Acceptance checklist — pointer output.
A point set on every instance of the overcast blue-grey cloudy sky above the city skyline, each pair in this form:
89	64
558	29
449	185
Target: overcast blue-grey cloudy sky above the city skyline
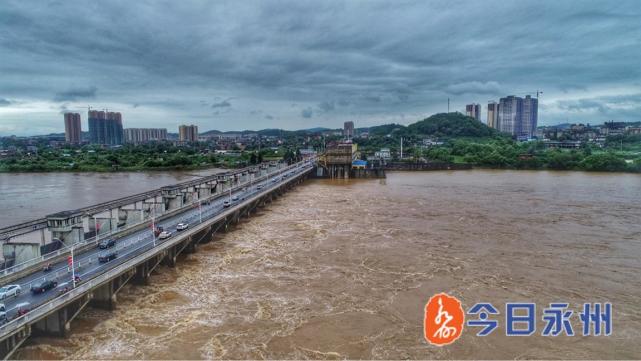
300	64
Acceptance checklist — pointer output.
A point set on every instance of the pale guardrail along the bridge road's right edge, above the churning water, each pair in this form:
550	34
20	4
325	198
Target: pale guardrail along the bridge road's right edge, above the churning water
44	309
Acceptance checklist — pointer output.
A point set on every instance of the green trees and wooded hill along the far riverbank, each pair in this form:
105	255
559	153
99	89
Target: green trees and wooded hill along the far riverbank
450	138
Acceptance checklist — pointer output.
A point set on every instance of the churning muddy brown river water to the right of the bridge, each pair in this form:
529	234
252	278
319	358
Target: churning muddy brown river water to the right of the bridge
343	269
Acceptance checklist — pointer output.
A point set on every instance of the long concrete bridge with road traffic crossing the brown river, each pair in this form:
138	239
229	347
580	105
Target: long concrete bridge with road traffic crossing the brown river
209	205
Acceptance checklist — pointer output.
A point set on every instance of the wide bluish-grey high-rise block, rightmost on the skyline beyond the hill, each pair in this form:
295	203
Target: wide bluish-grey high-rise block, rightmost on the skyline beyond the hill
518	116
